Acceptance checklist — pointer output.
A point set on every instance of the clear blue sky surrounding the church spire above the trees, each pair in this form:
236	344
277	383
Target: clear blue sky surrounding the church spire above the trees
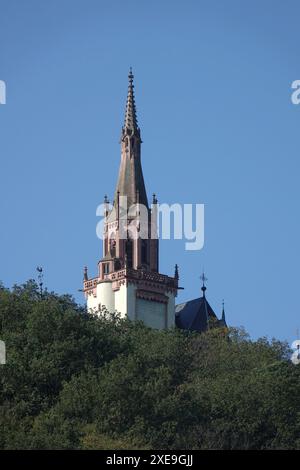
213	87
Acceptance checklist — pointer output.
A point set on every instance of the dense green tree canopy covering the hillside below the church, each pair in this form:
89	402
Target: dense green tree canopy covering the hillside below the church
76	381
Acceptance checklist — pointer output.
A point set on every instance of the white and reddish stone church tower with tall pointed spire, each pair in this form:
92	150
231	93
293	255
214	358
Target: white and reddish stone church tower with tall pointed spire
128	279
